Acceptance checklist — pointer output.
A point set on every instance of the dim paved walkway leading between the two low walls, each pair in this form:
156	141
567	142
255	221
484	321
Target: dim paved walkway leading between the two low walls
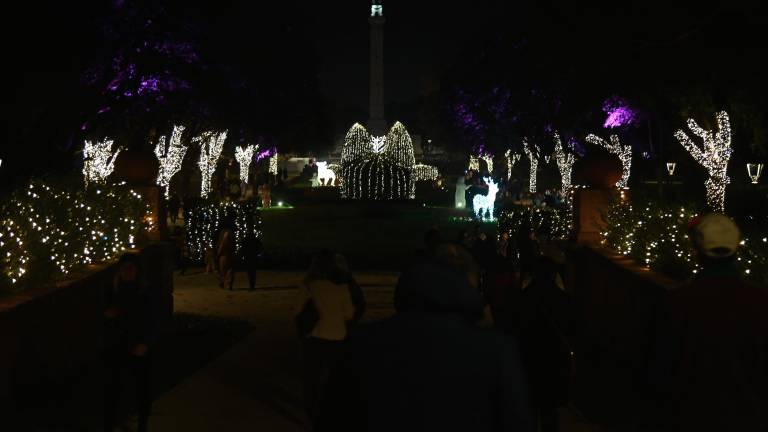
255	384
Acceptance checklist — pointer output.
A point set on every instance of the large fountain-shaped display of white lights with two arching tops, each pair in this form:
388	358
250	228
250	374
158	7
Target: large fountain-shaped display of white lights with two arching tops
369	163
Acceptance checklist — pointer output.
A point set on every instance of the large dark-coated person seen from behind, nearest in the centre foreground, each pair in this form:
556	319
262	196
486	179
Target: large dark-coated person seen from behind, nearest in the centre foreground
430	367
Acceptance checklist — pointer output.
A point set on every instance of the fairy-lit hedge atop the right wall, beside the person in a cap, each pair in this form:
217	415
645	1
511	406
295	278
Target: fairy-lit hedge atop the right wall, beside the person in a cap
656	236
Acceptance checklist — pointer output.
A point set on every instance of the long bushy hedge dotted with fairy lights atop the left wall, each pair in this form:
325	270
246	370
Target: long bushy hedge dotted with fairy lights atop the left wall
49	230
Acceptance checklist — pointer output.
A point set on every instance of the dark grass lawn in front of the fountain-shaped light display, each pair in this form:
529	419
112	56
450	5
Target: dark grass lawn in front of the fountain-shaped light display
372	235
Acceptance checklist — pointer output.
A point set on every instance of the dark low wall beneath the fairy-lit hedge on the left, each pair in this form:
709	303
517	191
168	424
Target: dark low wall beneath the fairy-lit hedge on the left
52	337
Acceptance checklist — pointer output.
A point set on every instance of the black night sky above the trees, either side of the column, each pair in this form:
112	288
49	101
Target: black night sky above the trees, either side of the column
48	47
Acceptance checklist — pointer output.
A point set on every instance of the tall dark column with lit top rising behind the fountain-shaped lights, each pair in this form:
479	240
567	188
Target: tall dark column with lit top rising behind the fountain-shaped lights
377	125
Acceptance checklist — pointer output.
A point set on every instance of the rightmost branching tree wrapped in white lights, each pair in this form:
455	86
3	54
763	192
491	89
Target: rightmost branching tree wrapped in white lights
714	156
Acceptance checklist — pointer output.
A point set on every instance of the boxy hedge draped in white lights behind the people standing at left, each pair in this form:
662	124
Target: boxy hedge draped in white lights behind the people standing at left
205	218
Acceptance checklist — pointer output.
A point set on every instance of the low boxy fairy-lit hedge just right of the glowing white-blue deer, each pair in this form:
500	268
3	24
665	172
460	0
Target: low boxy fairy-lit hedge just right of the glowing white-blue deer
555	221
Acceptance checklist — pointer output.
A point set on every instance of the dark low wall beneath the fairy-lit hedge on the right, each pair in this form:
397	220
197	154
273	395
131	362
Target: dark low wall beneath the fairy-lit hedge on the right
616	302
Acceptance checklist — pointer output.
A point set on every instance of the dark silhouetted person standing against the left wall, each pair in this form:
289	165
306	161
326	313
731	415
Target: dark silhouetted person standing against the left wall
129	335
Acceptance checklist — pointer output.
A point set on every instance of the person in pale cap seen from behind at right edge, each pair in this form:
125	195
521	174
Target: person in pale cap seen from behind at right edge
711	362
